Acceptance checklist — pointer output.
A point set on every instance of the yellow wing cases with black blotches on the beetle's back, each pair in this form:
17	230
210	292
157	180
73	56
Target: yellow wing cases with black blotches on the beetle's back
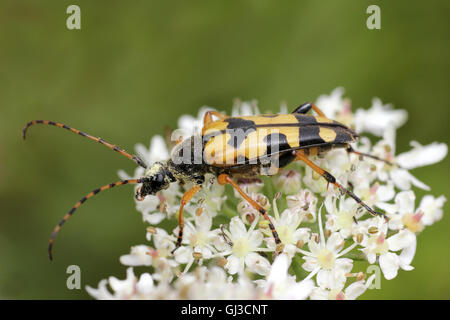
258	135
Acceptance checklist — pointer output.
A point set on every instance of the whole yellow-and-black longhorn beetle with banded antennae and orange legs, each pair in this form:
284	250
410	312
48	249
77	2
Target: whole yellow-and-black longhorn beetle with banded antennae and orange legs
232	147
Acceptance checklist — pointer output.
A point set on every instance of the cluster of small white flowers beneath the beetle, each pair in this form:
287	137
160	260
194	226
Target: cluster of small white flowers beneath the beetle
228	251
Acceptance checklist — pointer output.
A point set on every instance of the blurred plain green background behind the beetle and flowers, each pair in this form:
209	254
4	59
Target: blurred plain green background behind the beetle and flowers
134	68
